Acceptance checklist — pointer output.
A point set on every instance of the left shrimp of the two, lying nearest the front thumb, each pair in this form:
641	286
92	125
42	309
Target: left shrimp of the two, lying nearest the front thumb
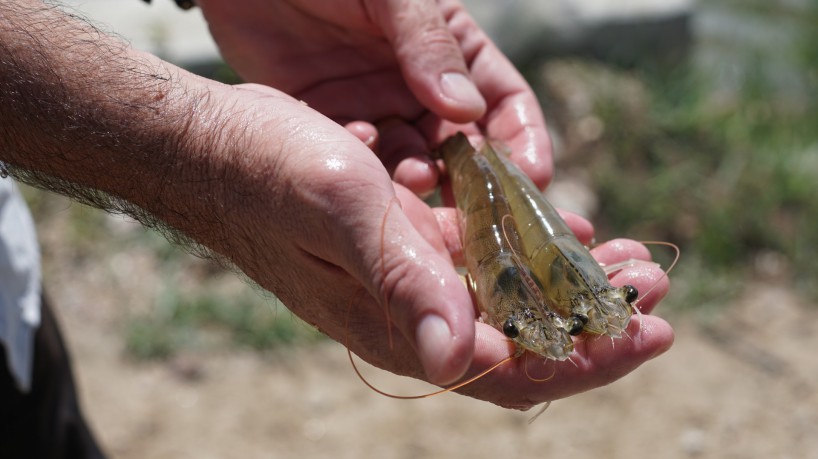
509	295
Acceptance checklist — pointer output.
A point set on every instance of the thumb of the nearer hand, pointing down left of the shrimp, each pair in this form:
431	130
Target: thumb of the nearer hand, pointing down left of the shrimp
427	301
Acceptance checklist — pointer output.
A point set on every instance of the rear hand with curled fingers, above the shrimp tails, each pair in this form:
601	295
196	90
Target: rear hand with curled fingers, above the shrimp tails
399	72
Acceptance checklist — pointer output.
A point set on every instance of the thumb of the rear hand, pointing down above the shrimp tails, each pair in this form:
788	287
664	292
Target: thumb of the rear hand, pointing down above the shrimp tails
430	58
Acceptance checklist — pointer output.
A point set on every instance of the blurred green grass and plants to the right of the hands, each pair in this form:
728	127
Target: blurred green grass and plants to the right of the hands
718	154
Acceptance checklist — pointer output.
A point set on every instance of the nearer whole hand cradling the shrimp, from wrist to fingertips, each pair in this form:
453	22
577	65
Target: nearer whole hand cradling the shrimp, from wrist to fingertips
313	220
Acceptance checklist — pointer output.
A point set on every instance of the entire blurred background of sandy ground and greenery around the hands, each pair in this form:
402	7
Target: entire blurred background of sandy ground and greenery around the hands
694	123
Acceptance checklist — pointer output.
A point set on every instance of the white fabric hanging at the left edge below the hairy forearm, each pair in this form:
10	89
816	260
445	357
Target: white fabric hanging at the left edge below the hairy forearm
19	283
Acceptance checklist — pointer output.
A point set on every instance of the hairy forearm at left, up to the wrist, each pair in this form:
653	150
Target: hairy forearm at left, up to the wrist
85	115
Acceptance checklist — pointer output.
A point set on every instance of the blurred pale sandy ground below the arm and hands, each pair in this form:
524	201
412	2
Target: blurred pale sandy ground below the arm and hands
739	385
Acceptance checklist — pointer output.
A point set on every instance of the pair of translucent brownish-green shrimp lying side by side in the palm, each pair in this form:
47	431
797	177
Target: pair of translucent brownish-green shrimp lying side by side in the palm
523	259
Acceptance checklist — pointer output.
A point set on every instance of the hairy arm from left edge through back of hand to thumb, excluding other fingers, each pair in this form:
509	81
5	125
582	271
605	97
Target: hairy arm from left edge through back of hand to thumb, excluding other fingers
288	196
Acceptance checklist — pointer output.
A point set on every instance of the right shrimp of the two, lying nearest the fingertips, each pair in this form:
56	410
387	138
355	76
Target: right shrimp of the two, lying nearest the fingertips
574	284
